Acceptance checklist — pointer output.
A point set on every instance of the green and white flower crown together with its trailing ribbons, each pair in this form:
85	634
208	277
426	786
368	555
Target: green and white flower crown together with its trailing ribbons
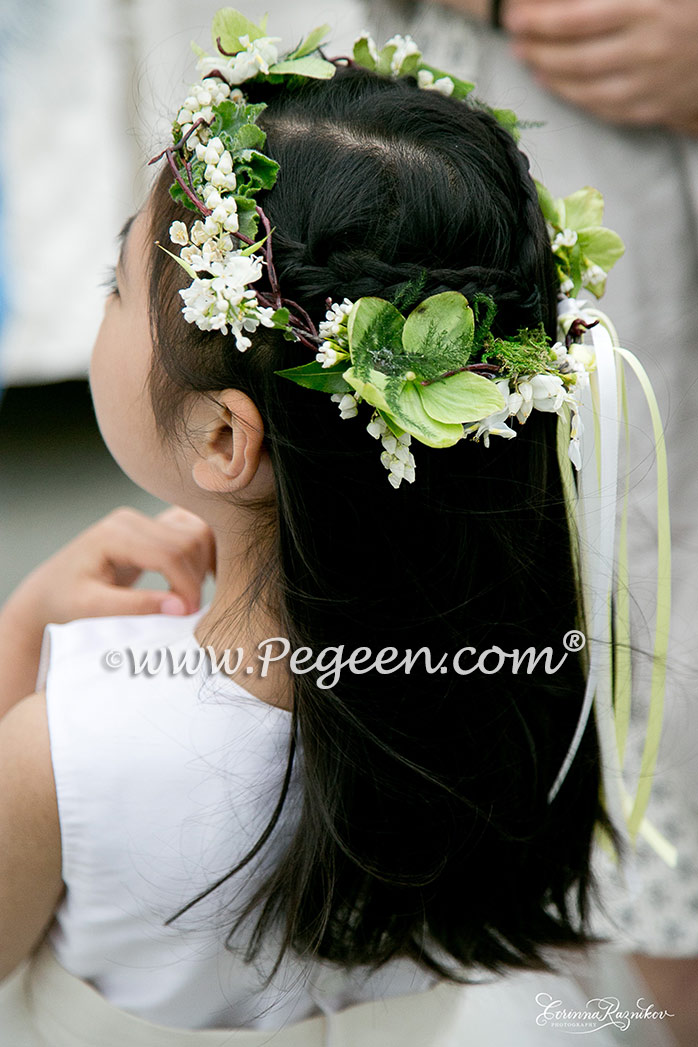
436	373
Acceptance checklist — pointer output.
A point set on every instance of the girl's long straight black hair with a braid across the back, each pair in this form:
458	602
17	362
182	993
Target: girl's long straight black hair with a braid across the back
422	827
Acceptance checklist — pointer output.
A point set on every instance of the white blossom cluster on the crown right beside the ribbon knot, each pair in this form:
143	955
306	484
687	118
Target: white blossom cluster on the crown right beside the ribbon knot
547	392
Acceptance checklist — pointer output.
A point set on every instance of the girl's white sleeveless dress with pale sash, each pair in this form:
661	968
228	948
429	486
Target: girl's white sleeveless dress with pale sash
164	783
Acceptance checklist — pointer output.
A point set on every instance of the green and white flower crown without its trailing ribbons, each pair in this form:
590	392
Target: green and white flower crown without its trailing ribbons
435	374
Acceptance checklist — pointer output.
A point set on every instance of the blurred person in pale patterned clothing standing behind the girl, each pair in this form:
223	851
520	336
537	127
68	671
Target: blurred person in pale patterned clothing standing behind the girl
613	88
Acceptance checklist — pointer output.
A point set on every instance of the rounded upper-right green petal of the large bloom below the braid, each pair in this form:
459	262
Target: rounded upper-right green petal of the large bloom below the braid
442	326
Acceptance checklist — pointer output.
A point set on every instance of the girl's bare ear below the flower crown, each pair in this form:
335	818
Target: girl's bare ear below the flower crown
231	449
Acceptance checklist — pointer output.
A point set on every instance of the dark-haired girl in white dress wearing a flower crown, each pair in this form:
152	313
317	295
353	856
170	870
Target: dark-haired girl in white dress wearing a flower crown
247	850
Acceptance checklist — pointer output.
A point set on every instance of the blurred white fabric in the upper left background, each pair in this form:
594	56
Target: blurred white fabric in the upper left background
94	85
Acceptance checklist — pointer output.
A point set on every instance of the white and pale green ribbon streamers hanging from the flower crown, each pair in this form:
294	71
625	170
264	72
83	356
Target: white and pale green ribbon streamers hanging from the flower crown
604	574
